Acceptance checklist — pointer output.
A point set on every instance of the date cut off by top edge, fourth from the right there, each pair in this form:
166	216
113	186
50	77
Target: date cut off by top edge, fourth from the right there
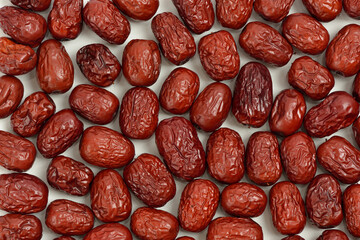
233	14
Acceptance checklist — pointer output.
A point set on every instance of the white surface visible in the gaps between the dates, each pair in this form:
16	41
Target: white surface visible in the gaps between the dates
142	30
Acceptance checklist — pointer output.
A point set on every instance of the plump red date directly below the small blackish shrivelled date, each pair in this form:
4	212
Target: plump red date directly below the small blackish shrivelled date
94	103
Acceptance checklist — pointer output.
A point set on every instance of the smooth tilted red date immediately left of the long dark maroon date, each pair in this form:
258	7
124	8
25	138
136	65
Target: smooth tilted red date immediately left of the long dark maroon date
211	107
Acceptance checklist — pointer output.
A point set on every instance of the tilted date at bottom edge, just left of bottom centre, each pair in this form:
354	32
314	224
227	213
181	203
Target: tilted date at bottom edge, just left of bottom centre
152	224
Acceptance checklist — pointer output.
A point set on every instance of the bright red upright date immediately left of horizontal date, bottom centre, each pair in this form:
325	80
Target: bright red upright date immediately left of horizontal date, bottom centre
198	204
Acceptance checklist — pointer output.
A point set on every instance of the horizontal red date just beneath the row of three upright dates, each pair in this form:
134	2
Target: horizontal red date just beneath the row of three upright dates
243	200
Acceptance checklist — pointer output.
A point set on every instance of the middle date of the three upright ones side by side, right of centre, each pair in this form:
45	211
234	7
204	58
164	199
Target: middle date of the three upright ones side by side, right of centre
263	163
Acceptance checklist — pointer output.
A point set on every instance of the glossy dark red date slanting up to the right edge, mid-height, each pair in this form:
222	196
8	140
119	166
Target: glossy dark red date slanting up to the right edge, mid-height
338	110
